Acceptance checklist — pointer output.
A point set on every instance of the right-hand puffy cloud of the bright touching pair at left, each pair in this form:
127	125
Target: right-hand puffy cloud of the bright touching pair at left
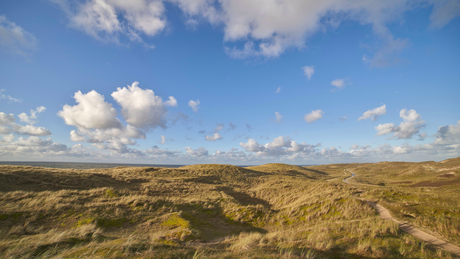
141	108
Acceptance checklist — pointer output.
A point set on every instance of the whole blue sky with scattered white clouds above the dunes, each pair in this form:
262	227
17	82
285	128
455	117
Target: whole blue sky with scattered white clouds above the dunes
238	82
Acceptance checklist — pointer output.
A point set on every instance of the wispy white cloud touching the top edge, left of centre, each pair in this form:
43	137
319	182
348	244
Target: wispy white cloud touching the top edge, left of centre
109	20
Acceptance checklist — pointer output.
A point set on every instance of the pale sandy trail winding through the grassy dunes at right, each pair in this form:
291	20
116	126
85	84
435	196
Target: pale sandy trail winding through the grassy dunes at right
385	214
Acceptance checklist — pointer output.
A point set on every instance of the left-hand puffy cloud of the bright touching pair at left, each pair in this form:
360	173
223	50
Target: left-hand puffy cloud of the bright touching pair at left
91	112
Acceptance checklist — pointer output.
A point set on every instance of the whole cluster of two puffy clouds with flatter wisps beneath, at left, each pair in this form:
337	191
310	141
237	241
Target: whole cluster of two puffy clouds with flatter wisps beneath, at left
97	123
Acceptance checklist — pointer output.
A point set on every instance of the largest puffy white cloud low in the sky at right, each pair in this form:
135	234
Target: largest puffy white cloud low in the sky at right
411	125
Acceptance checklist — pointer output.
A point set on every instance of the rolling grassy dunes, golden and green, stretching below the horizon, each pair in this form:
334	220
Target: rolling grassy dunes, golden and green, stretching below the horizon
224	211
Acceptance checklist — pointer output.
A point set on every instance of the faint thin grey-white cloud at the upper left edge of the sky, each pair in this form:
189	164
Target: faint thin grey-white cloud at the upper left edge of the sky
14	39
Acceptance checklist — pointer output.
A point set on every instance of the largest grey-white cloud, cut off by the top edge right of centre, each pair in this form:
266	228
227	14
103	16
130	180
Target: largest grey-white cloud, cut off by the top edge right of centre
279	25
